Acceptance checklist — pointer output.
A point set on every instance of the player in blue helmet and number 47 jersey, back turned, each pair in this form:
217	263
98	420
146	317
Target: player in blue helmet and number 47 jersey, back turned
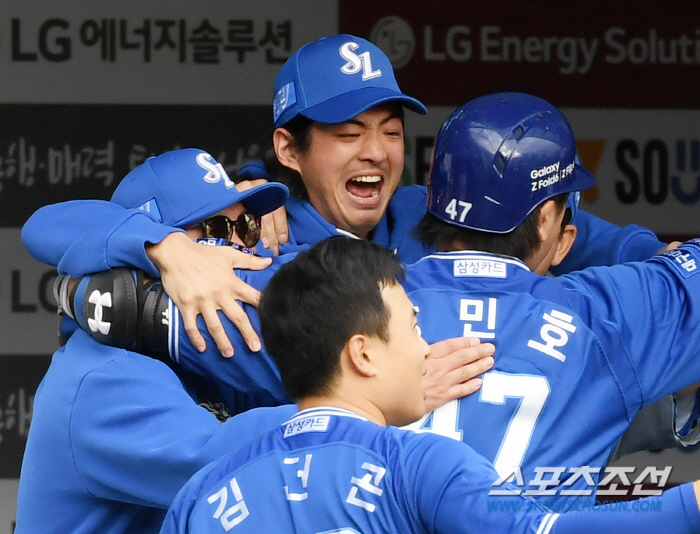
578	355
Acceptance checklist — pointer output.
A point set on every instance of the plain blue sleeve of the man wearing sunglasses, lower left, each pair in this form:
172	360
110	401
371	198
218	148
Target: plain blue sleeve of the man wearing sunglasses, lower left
146	437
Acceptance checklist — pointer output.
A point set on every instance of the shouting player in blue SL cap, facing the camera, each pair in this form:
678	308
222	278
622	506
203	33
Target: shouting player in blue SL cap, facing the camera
334	80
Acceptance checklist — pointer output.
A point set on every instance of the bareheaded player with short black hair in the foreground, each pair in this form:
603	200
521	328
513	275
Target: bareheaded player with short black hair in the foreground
338	465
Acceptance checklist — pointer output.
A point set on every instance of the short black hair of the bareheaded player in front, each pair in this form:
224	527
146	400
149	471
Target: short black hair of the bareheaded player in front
315	303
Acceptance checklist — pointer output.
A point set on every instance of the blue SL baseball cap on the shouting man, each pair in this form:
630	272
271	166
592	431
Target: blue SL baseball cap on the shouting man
334	79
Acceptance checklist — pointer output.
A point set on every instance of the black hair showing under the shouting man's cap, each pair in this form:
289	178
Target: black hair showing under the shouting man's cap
300	129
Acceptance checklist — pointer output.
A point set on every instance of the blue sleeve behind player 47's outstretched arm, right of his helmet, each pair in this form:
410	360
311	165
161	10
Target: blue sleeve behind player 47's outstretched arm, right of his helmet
602	243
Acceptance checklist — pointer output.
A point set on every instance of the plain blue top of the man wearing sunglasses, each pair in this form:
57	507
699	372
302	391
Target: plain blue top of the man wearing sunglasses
114	436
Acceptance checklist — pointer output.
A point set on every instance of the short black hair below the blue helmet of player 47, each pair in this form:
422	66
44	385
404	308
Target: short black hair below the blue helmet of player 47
521	243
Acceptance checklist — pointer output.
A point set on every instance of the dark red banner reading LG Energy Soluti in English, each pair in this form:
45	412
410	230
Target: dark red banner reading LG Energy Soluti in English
593	54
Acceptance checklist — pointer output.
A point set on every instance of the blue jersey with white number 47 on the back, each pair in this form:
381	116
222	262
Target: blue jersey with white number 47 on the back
576	356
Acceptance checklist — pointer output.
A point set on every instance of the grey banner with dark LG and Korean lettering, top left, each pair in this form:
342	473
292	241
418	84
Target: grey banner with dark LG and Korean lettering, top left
153	51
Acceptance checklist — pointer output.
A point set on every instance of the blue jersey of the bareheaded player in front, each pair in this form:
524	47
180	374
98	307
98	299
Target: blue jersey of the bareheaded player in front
330	470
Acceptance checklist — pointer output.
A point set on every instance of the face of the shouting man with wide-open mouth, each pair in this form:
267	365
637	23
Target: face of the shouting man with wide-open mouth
351	169
